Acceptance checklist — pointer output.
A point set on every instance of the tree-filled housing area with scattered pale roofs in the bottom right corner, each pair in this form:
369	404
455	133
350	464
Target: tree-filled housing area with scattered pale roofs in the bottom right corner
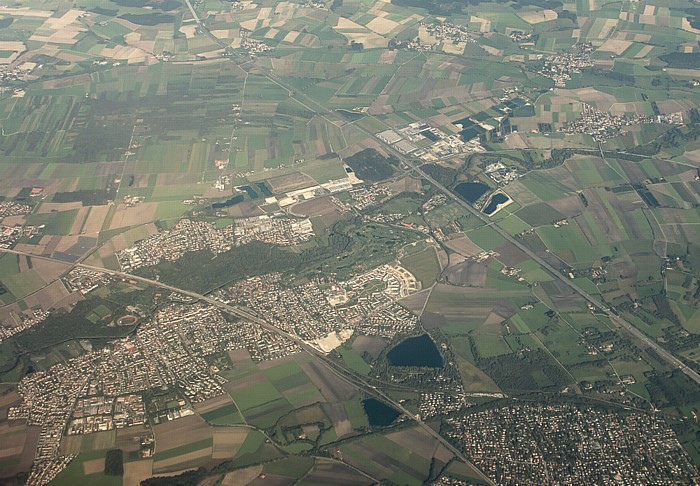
549	444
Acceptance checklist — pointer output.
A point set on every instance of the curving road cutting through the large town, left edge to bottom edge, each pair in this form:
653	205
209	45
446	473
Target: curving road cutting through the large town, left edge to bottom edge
336	368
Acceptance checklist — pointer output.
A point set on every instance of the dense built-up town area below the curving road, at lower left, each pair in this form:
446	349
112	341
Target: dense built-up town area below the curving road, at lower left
100	390
